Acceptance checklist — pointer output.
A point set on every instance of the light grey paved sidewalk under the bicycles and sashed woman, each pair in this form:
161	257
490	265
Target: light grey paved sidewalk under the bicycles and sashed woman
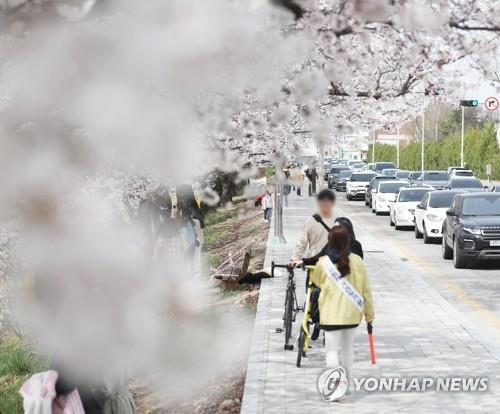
417	333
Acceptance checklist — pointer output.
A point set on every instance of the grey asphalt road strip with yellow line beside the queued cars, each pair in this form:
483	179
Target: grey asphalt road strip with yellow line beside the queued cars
474	292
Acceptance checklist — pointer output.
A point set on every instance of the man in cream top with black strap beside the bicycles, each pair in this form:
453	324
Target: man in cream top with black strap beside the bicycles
315	233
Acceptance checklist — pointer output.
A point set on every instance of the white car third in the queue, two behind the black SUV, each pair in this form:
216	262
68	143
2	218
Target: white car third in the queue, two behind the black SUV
403	209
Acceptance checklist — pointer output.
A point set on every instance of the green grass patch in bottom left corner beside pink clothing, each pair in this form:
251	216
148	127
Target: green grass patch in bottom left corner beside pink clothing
17	363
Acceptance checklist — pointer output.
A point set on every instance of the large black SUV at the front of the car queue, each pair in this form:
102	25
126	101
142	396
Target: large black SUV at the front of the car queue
471	229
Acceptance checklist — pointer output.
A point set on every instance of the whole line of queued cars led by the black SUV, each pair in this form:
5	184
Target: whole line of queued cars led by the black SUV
452	207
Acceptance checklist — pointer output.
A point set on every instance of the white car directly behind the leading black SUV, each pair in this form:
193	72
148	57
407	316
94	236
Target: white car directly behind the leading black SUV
430	214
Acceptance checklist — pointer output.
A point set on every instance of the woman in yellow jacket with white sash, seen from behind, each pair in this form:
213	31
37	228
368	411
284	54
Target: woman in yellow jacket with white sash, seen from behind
345	297
